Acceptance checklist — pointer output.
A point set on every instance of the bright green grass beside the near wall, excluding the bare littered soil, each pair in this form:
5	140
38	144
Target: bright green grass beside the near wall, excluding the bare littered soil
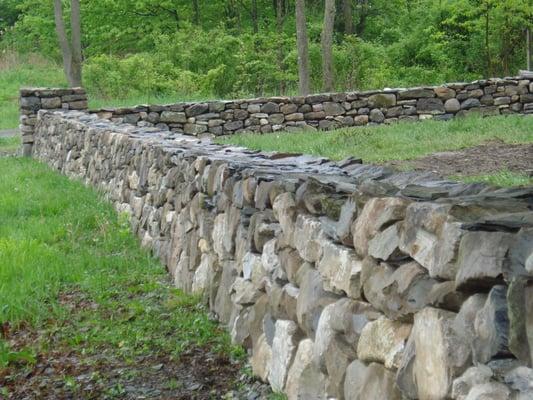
60	240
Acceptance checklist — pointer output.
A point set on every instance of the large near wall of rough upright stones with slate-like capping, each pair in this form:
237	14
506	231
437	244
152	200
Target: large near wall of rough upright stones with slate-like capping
343	281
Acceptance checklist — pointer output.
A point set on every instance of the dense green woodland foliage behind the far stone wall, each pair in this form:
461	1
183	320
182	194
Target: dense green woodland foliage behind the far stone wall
159	47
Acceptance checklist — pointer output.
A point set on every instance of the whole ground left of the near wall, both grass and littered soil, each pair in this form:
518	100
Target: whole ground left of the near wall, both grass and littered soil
86	313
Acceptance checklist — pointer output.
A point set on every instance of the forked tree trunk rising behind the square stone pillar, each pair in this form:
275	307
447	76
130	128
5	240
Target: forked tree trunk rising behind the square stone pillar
70	49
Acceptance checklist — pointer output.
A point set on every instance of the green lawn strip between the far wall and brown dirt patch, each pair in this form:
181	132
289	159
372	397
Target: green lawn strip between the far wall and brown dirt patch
383	143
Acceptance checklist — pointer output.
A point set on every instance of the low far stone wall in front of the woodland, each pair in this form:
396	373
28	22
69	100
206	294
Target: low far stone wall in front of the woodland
330	111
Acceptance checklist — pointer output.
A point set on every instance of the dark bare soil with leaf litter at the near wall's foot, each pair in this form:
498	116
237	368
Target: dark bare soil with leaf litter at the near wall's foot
64	371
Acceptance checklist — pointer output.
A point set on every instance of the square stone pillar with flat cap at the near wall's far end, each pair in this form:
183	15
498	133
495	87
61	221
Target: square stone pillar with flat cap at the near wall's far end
34	99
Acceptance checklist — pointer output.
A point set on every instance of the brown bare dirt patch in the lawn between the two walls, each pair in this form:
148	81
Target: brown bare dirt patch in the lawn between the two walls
485	159
